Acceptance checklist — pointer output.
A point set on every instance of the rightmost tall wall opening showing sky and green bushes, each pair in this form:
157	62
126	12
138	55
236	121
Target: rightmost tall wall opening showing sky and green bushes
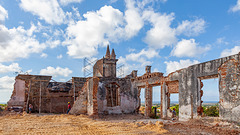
209	95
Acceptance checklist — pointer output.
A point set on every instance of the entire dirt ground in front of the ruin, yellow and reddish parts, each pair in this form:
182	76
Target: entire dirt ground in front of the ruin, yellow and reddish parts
112	124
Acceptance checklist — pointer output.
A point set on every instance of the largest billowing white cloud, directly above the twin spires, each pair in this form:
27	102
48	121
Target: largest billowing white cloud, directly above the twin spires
99	28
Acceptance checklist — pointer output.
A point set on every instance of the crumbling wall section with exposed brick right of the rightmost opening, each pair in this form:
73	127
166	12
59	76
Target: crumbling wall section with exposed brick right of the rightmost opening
229	90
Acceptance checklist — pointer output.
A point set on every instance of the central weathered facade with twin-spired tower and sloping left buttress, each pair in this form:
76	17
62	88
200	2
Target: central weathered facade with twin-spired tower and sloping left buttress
104	93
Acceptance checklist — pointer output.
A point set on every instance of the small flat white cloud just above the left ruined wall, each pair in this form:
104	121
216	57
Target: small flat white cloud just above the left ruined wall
55	72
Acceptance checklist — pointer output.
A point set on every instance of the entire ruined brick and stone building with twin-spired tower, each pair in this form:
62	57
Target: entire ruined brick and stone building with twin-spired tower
104	93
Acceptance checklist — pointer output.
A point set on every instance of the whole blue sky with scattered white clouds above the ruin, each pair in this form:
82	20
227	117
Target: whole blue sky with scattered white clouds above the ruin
51	37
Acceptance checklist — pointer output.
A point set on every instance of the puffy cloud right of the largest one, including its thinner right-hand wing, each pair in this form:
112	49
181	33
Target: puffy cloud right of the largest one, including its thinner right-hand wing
162	34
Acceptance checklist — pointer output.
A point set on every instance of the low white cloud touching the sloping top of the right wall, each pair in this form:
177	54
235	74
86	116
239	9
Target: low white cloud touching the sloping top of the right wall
174	65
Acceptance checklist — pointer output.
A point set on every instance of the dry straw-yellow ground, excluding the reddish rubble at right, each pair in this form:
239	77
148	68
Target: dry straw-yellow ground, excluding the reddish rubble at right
70	124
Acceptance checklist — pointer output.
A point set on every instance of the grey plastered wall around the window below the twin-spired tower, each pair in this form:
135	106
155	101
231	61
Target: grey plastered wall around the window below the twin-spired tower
128	96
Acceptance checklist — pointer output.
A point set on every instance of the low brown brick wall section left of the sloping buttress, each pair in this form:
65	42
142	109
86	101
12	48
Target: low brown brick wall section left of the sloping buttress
37	92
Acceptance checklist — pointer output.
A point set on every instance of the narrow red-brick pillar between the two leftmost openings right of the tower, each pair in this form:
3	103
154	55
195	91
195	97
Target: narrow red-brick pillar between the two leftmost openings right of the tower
148	100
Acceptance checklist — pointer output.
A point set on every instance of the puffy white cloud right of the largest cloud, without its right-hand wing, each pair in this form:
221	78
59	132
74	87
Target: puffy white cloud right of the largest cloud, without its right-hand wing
161	34
